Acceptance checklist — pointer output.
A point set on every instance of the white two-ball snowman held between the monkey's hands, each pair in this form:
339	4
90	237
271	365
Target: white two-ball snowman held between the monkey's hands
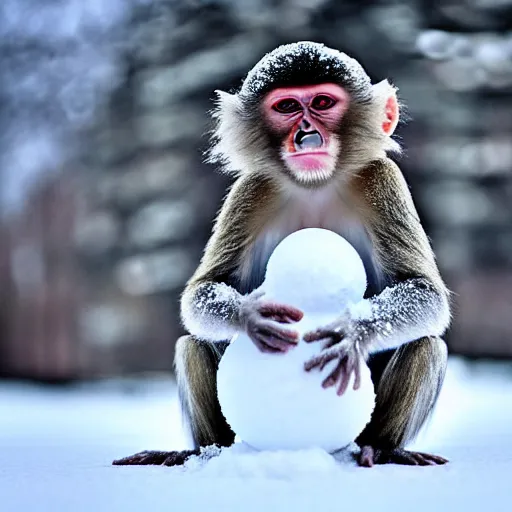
268	399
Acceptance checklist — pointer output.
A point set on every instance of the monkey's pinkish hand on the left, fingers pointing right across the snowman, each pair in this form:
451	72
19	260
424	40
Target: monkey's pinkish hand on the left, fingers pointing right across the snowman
260	319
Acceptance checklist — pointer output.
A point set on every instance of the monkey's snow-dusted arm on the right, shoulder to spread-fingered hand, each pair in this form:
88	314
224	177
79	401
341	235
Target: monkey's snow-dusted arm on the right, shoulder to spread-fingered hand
416	304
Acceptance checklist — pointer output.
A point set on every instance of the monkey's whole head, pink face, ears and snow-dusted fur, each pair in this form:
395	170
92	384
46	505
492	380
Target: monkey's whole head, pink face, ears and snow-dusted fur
306	112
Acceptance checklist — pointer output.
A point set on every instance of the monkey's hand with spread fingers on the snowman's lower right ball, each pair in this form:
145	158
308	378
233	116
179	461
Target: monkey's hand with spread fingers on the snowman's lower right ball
344	344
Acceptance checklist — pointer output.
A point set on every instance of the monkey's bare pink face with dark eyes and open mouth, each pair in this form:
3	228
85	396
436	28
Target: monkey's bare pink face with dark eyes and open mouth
306	121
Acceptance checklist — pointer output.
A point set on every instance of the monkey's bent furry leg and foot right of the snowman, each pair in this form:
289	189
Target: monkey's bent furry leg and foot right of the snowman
406	393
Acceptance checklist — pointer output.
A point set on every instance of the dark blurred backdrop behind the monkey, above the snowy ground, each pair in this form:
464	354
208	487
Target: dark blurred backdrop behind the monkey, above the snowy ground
105	204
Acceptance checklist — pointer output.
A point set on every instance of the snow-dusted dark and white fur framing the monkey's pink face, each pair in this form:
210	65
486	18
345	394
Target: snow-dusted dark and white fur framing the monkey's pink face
241	142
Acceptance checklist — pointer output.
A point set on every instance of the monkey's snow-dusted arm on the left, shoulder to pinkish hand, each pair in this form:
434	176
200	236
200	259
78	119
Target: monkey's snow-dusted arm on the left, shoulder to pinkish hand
211	308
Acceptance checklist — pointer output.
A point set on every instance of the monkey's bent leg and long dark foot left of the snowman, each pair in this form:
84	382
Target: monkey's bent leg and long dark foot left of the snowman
196	364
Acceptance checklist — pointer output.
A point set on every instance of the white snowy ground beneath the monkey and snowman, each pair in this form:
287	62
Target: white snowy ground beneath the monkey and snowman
56	447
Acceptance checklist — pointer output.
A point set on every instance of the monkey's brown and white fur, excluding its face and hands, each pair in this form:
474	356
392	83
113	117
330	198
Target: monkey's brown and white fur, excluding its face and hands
368	202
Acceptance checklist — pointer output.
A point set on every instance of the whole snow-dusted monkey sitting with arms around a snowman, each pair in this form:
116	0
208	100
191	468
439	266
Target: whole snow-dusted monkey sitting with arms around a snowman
307	137
